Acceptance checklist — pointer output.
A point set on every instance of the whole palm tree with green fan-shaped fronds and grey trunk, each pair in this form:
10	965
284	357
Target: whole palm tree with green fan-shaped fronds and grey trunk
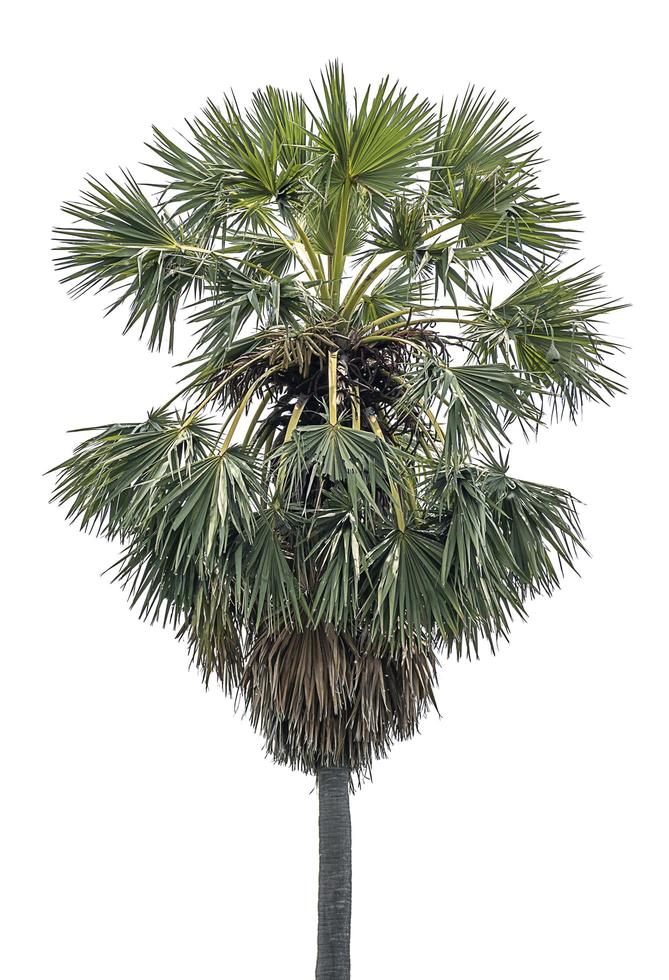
380	299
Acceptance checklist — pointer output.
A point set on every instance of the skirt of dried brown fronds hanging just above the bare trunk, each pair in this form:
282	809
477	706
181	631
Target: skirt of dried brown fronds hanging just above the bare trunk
322	700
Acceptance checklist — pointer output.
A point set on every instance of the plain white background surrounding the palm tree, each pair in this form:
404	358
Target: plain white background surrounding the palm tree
523	834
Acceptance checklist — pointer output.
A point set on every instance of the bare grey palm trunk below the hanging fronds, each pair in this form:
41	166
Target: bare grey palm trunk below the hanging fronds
334	877
